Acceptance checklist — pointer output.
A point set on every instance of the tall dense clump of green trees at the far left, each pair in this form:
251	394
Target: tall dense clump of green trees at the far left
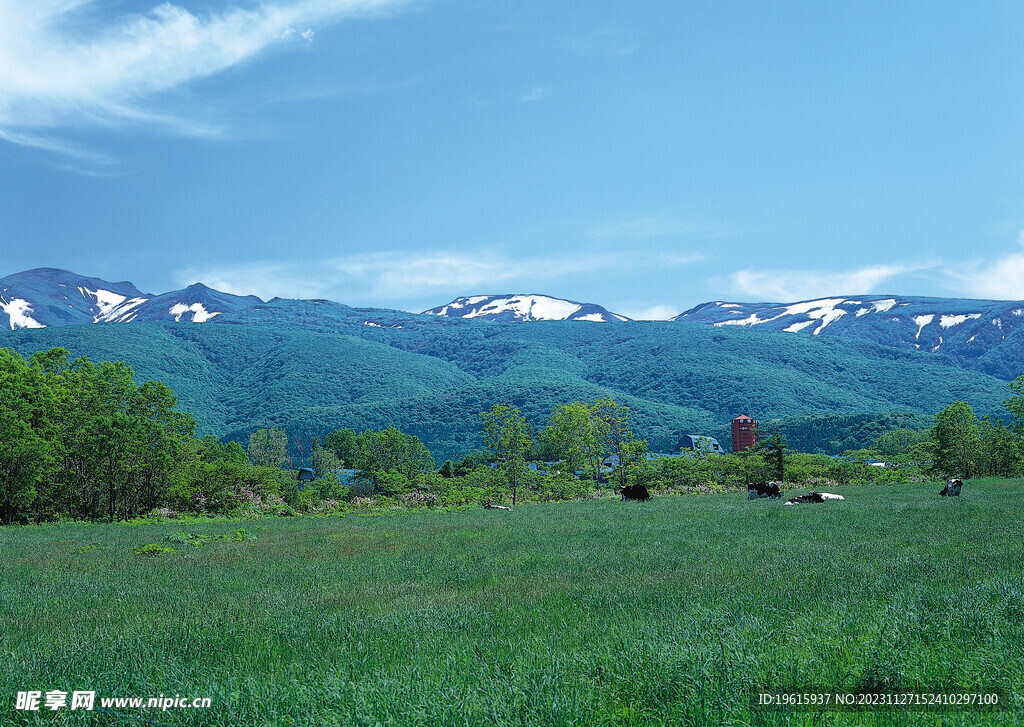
101	446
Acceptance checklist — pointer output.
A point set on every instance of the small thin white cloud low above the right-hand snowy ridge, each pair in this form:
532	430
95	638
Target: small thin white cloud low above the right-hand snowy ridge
788	286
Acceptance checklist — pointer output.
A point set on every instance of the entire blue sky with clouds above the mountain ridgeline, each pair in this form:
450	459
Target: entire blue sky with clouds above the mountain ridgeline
644	156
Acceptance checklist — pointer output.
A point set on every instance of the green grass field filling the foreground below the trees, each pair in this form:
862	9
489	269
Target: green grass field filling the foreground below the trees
673	612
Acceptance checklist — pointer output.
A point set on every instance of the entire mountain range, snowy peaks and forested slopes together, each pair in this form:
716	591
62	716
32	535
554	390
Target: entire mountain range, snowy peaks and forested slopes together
314	366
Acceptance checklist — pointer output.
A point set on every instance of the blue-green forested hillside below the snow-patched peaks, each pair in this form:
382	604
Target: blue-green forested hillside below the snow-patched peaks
316	367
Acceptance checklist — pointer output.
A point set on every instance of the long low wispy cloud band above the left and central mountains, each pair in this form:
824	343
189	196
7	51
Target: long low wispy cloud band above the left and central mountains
397	278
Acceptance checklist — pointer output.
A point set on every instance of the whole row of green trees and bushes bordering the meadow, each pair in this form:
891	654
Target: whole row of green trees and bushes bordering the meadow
83	441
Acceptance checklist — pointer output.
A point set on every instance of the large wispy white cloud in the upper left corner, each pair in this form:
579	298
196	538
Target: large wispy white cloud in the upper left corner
63	67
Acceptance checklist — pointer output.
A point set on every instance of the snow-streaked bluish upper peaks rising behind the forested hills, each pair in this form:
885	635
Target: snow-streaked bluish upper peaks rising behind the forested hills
980	335
